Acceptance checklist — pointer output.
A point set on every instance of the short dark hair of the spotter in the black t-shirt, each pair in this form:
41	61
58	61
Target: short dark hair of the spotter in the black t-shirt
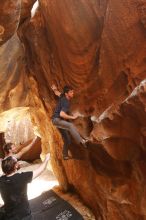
8	164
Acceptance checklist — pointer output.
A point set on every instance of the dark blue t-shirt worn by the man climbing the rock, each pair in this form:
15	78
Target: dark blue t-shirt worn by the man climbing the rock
63	105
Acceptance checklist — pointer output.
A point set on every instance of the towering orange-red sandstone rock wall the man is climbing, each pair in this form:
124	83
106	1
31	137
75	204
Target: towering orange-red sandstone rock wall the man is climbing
99	48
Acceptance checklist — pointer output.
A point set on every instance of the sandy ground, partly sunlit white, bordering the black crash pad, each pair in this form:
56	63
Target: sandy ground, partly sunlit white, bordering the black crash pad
48	181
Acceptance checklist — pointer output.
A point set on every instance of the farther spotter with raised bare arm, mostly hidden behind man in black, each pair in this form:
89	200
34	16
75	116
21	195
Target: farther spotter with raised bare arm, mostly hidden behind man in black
10	149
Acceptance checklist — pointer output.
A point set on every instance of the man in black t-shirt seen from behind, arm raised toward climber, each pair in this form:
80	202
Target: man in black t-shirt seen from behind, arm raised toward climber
13	189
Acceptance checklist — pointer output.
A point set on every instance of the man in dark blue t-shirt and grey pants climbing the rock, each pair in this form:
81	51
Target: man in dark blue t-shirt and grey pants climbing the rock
61	116
